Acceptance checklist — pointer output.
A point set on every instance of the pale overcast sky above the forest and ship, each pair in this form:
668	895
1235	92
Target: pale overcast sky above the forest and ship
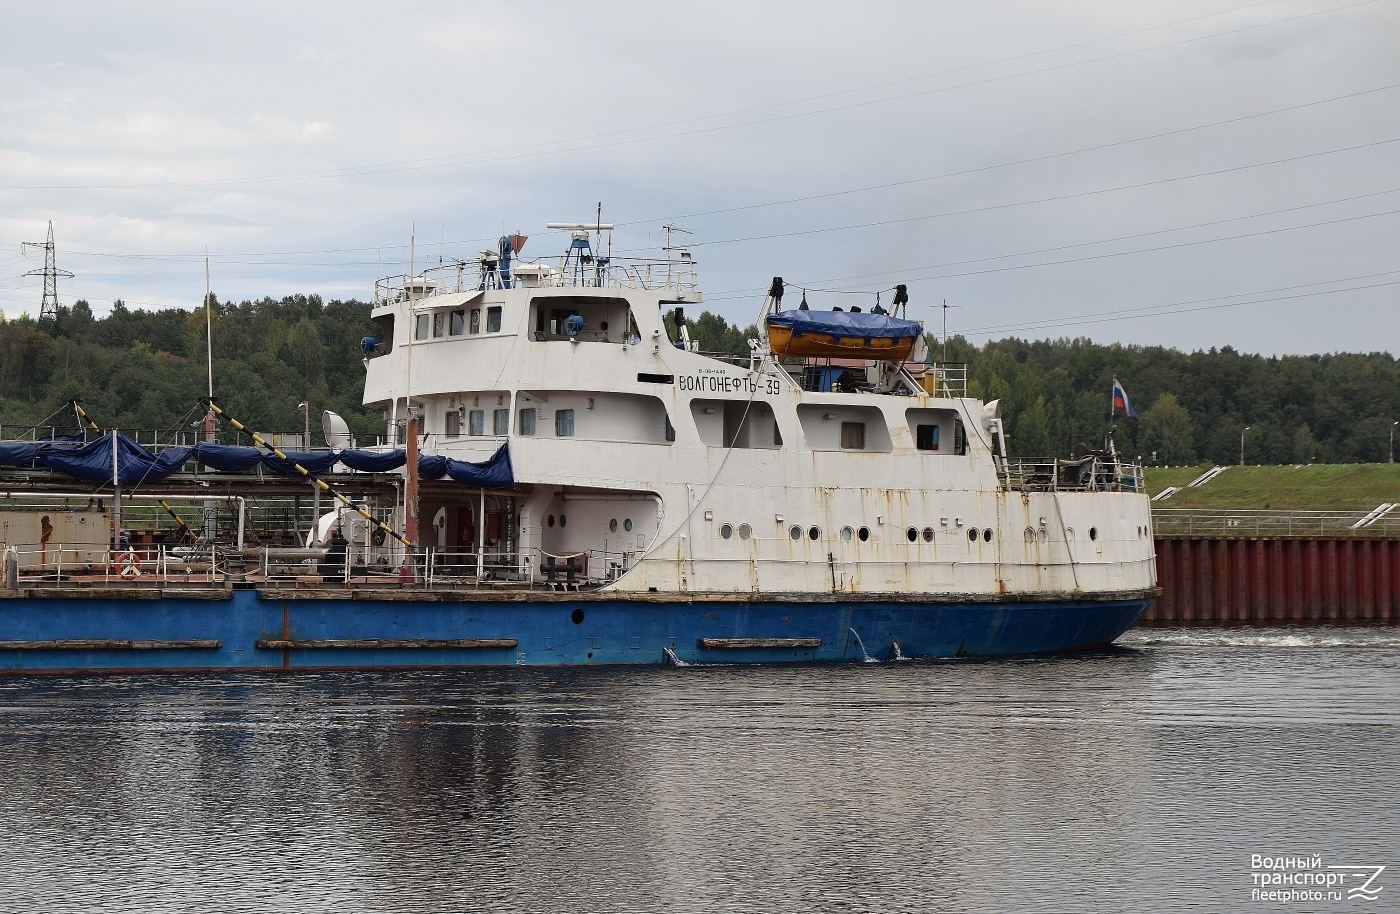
1188	173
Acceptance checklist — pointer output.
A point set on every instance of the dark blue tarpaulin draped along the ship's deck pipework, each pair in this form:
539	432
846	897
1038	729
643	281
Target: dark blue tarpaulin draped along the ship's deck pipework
134	465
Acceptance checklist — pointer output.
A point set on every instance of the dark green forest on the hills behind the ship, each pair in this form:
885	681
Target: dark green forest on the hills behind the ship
146	370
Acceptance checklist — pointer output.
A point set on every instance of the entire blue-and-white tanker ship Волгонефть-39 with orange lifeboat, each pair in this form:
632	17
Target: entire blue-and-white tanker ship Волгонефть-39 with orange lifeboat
565	479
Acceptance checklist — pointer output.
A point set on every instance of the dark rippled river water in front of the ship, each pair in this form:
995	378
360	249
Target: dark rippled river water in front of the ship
1147	779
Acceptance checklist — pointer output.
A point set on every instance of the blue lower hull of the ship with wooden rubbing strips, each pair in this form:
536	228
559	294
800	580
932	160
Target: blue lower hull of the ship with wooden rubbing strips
246	629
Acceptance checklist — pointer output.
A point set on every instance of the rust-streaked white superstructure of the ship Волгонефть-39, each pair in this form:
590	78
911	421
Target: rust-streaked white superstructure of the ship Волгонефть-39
652	467
